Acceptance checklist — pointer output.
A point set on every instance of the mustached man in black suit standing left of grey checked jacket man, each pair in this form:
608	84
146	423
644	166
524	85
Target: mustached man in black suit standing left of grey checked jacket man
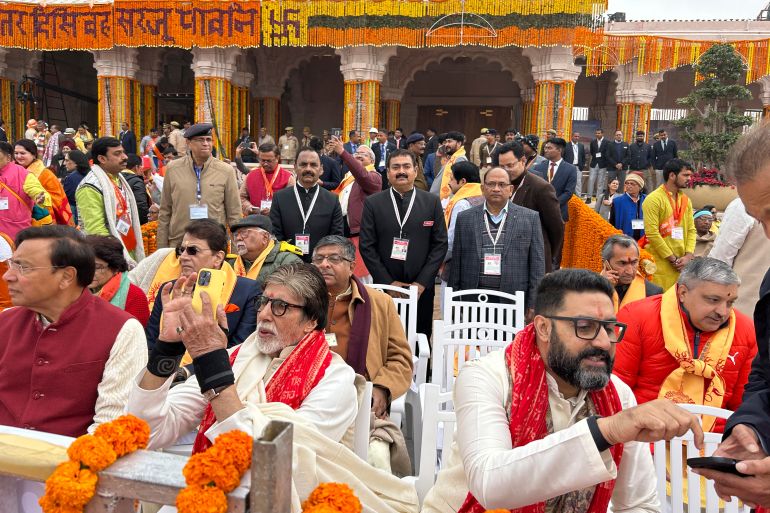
403	237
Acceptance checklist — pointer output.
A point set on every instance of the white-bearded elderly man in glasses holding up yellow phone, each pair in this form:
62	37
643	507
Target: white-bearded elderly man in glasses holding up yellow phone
284	371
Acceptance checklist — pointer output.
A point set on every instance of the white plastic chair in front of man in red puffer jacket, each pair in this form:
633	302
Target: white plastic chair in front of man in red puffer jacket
673	456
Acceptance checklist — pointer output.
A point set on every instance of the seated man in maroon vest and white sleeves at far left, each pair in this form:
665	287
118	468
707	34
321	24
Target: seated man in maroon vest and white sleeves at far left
66	356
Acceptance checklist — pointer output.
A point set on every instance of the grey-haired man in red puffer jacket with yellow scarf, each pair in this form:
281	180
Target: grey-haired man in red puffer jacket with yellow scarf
689	345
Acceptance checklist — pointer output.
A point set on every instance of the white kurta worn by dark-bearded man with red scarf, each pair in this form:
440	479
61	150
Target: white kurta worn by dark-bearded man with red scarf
483	460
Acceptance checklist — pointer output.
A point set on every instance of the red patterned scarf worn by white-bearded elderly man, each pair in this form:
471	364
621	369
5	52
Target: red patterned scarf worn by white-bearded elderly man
296	377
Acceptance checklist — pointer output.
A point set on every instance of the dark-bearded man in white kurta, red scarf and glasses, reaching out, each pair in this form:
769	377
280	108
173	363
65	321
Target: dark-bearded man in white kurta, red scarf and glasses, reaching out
544	425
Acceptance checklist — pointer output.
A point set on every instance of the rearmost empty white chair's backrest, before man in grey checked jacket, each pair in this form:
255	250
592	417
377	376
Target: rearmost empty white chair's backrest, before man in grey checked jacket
479	305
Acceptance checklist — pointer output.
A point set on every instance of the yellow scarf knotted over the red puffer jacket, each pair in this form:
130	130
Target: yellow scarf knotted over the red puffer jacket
687	383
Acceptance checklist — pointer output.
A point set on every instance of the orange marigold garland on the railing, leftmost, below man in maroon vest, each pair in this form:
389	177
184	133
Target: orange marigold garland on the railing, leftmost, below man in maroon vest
72	485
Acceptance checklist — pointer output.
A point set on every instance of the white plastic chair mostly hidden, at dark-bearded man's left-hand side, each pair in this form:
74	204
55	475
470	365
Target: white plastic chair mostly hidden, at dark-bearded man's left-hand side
435	415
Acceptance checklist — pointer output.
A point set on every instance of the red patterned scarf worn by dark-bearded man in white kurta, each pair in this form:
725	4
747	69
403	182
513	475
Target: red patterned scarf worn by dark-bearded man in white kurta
529	406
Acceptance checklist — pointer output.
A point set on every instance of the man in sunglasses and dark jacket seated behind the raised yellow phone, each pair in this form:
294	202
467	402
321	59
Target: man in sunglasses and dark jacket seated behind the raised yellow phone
204	245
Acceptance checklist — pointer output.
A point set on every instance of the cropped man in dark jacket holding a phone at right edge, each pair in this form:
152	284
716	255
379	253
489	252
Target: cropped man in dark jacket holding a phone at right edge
747	432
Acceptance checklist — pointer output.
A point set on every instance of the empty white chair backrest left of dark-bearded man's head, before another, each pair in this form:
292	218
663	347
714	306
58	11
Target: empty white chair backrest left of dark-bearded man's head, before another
456	344
